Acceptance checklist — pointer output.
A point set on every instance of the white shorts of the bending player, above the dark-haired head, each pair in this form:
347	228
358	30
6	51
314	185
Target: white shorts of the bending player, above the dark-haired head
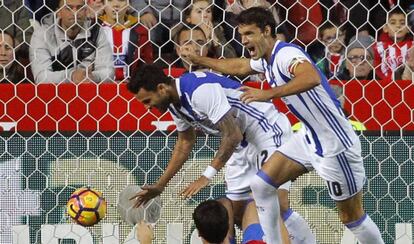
240	169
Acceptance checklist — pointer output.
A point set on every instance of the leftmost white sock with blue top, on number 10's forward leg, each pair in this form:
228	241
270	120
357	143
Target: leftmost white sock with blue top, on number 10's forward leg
267	203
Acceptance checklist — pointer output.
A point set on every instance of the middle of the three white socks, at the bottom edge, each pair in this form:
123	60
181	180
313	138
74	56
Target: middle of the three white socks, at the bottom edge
298	228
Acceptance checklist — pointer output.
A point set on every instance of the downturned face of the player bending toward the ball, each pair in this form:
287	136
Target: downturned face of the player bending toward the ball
158	99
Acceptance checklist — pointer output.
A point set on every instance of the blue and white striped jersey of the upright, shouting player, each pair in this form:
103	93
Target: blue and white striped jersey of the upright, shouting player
317	108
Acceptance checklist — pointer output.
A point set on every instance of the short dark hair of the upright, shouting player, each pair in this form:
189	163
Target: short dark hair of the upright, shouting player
259	16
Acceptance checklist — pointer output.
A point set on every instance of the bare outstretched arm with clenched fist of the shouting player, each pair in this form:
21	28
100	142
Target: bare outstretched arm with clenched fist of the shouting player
230	66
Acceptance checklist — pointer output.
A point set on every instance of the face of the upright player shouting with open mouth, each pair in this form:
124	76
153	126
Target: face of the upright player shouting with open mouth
253	40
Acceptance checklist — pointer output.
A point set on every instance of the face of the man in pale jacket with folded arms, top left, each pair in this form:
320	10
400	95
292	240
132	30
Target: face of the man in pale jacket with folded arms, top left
72	12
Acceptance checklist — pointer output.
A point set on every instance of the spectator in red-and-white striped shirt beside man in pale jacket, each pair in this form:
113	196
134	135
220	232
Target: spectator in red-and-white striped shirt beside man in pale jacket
130	40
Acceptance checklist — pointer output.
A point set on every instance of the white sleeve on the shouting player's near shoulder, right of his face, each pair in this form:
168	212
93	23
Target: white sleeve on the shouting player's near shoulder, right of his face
288	58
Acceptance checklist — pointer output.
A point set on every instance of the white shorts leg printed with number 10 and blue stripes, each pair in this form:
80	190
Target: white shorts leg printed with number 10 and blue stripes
344	174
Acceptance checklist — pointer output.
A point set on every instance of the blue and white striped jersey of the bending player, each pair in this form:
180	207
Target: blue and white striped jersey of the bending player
206	97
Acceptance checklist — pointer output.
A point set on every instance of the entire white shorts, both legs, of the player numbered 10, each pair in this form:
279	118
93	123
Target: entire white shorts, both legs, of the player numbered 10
344	174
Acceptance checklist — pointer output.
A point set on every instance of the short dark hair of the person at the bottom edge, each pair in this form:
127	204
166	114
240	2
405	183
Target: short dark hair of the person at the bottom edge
212	221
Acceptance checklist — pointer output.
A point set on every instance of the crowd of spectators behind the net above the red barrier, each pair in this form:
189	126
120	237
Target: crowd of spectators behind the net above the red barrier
53	41
